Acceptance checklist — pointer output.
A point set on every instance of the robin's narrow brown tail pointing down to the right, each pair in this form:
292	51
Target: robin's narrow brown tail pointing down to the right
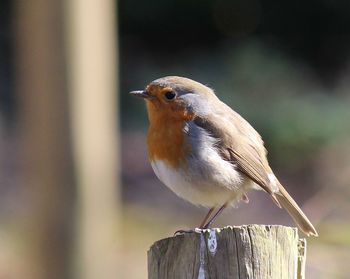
287	202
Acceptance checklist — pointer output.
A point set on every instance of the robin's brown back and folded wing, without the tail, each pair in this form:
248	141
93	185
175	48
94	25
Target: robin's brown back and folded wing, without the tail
238	143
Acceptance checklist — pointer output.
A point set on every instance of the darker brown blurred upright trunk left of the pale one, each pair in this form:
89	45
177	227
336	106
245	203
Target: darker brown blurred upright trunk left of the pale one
43	117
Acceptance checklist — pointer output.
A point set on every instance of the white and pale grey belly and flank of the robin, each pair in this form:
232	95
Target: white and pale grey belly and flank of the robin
205	178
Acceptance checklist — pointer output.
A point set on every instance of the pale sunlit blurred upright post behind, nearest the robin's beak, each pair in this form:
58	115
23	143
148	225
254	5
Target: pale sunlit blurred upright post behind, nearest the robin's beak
92	52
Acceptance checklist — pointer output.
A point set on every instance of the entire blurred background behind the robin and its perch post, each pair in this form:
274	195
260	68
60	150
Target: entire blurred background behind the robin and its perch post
78	198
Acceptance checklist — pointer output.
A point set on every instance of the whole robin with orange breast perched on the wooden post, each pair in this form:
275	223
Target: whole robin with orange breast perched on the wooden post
207	153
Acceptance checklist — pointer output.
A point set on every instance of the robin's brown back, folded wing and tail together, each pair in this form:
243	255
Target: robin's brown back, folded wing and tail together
240	144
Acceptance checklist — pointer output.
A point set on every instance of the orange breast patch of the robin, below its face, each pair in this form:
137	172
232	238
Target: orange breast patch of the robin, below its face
166	138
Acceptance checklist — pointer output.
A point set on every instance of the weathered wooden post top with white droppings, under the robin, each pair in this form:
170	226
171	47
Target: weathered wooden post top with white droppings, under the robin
252	251
